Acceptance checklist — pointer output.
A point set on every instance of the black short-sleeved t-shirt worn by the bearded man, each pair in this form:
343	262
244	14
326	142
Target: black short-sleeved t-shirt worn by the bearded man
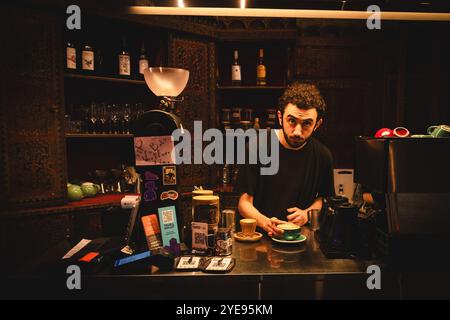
303	175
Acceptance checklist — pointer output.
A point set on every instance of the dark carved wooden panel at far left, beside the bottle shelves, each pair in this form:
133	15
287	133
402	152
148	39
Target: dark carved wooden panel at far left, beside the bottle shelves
32	146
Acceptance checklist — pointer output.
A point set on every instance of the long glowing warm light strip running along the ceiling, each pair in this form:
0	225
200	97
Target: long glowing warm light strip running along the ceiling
288	13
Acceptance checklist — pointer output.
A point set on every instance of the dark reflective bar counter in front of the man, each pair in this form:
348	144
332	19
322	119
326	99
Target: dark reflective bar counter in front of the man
263	270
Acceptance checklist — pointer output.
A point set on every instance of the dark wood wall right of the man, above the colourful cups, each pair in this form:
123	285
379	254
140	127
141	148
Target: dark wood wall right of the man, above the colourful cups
396	76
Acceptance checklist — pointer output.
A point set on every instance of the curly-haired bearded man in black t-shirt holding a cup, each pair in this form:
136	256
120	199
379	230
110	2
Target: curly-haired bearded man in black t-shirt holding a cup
305	173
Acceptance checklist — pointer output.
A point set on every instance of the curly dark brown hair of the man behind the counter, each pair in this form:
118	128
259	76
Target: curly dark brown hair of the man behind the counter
304	96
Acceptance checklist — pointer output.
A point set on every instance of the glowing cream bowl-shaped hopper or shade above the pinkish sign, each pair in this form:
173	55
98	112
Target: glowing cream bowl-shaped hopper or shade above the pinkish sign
164	81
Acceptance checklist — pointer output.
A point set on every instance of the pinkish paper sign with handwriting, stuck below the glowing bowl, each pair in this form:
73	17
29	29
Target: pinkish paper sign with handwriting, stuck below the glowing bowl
152	151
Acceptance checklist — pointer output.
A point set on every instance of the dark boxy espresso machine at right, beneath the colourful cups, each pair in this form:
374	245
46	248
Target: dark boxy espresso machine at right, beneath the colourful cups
410	180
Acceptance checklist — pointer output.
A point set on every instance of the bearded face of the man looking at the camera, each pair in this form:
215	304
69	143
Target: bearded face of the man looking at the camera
298	124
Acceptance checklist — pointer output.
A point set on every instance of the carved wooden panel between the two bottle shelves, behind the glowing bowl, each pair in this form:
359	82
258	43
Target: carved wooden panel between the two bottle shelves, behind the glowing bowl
195	56
